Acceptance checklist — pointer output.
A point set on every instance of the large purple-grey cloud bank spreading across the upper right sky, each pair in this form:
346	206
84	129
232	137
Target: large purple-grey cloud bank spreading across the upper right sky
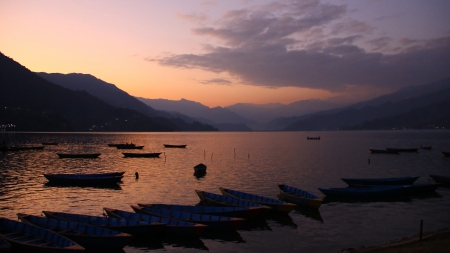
312	45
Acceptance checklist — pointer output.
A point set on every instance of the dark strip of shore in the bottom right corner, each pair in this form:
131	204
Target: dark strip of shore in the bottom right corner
432	242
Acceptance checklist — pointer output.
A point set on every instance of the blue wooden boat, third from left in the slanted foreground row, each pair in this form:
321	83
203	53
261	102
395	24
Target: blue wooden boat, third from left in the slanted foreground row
132	227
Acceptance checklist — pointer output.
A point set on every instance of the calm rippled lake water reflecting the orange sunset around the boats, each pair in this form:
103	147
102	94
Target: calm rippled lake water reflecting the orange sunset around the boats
251	162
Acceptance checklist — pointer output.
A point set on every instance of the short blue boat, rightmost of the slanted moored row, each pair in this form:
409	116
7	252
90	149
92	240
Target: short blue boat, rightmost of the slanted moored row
298	196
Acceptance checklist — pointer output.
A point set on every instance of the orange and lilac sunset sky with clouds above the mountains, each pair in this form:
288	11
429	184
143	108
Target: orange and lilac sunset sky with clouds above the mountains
223	52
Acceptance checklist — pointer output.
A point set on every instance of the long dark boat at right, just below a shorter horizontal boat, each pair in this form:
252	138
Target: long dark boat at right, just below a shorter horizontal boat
367	191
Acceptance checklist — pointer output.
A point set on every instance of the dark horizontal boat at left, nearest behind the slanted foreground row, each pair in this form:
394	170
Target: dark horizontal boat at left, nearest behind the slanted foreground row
92	179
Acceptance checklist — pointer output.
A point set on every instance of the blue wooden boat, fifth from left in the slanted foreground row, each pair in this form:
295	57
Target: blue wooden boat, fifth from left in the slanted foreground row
212	221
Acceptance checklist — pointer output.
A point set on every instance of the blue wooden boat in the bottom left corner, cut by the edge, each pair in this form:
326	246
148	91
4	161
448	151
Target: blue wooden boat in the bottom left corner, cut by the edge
29	238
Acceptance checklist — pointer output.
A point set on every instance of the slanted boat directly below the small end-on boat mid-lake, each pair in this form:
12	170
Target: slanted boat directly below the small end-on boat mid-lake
216	199
